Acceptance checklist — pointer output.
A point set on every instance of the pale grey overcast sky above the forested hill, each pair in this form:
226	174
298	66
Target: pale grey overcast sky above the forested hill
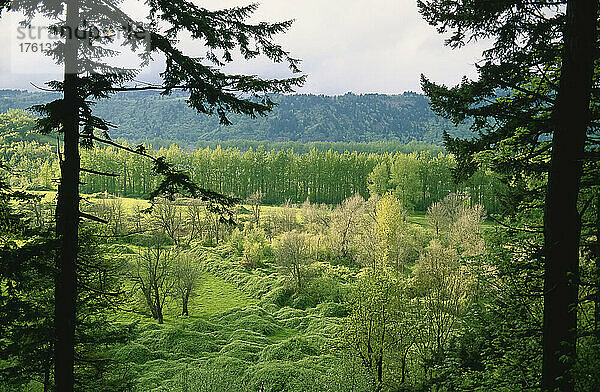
360	46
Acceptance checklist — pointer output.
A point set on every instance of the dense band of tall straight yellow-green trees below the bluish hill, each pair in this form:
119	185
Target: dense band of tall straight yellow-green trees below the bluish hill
418	178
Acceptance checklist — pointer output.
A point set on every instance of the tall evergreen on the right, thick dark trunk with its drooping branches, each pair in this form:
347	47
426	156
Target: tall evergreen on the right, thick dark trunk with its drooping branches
531	111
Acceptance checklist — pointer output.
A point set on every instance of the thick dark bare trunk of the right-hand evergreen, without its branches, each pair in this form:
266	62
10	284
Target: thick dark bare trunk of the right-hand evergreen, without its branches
561	218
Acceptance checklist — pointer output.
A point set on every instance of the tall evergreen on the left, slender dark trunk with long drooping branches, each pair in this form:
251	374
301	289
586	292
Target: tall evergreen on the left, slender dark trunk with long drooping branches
88	77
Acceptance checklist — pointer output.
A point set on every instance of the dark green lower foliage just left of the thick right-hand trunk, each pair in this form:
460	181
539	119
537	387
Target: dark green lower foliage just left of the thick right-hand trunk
498	343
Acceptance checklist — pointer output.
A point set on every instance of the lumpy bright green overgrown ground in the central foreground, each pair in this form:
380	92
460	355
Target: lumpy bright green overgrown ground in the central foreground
236	340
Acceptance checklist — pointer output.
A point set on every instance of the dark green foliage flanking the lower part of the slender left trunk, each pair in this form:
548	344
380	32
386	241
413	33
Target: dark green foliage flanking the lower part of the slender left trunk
27	257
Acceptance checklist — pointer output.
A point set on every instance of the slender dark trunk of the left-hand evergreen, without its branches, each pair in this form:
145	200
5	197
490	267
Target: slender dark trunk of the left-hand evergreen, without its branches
67	216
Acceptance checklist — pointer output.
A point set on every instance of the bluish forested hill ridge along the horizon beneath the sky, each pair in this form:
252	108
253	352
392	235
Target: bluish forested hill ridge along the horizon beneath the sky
148	116
